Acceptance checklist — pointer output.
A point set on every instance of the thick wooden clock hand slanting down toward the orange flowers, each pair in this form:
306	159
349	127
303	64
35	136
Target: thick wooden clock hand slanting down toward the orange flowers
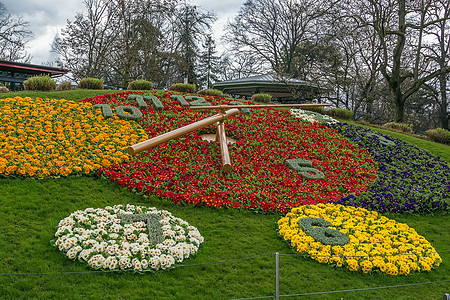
180	131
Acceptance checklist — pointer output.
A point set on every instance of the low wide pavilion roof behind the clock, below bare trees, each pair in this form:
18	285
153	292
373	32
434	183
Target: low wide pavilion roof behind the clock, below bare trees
267	83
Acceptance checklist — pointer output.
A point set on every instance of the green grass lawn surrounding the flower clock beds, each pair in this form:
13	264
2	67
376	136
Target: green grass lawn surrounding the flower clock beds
30	210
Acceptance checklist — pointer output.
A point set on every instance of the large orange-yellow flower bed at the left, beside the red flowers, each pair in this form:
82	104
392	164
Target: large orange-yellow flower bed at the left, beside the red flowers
43	138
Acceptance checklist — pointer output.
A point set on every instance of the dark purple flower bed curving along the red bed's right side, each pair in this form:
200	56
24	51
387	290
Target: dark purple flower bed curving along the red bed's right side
410	180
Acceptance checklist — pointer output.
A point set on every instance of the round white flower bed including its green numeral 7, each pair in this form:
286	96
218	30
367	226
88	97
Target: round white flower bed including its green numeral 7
127	237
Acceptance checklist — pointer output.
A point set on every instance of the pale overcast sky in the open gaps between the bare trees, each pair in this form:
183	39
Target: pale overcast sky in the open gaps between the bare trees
48	17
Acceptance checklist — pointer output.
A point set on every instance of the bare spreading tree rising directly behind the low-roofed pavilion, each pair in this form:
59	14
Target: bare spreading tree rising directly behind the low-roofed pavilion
273	30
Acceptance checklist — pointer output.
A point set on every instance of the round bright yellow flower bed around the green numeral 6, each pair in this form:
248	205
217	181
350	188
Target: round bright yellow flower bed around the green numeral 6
376	242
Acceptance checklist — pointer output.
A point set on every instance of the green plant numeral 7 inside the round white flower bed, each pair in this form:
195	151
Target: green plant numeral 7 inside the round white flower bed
154	230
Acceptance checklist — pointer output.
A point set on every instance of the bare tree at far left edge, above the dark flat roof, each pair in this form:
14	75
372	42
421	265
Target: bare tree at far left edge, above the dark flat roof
14	34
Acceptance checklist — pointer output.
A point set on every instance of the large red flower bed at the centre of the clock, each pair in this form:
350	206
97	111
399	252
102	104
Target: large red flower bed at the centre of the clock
188	169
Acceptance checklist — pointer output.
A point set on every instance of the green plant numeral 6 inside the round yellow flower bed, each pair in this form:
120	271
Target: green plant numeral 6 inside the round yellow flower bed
322	233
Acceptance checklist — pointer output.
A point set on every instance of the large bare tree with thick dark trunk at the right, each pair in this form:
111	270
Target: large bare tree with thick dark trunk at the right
400	29
